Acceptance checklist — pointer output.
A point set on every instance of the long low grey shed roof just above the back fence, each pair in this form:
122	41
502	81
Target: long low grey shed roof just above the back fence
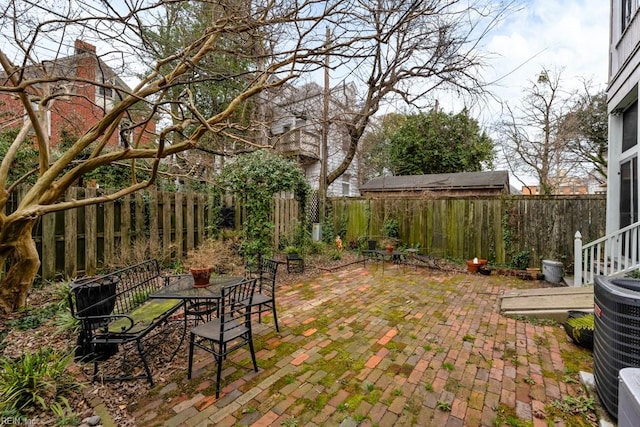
462	184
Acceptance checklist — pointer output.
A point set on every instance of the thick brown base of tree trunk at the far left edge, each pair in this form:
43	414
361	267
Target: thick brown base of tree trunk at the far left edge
19	251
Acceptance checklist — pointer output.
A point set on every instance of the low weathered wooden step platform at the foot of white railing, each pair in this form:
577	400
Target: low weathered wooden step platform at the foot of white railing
548	303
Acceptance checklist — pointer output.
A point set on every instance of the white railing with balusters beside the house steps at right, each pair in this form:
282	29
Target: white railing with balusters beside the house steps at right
614	254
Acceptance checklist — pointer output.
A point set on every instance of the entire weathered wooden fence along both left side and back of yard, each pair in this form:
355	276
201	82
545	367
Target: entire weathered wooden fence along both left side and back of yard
165	225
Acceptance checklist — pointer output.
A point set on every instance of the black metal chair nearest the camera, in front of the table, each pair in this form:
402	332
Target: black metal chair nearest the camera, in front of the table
230	331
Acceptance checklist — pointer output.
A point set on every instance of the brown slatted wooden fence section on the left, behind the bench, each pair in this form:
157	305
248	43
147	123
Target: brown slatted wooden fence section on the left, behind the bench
162	225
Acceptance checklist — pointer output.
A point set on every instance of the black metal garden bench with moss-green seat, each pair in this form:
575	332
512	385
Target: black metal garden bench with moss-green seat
115	309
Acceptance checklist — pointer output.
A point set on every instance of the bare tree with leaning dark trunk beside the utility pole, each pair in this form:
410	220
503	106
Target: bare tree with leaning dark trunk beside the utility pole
411	51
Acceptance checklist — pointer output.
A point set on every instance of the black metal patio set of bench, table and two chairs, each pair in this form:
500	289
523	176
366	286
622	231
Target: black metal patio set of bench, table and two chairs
134	303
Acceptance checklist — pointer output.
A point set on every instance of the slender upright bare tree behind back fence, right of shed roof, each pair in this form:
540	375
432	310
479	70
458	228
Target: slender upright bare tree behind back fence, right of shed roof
533	138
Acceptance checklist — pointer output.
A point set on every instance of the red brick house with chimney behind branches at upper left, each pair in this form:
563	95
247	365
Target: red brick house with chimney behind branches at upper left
76	103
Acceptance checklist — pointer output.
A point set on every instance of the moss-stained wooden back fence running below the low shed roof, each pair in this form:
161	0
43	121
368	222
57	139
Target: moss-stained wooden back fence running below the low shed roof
495	228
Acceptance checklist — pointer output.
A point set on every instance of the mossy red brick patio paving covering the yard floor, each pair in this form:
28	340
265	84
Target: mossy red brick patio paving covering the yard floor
363	346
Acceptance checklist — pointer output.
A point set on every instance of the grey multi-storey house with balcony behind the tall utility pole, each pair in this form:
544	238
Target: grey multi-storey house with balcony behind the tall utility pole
296	118
